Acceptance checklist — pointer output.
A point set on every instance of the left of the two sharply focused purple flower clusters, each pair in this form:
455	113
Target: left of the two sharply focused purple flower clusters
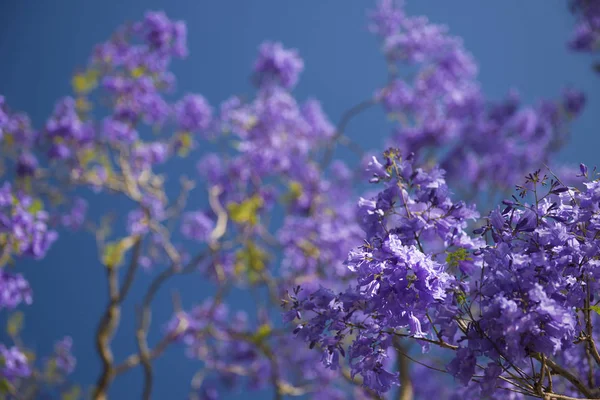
401	285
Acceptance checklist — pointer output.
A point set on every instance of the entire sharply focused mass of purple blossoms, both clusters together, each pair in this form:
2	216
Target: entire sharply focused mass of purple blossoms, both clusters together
521	290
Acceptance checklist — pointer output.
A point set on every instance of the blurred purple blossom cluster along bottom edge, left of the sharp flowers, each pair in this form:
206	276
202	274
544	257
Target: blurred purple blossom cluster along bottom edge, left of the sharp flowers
233	348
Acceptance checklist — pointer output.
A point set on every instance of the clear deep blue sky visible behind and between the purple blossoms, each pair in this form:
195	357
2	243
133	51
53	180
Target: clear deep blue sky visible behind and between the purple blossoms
517	43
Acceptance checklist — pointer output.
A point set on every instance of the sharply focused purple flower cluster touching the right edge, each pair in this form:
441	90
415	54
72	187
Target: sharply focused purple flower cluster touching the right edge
539	273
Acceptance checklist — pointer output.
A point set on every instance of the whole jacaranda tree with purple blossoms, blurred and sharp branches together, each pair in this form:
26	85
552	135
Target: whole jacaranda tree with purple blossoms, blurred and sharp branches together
459	262
